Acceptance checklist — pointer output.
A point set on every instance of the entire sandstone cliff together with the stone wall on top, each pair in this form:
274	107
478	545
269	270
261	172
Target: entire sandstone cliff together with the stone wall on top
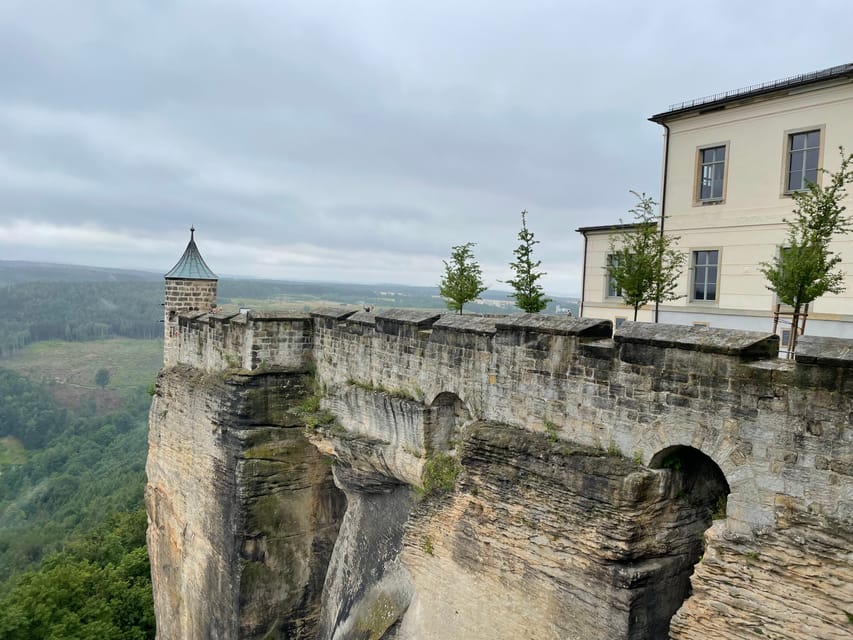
549	532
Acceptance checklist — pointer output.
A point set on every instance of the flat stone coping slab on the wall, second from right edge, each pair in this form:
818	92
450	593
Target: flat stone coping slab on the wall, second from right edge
751	344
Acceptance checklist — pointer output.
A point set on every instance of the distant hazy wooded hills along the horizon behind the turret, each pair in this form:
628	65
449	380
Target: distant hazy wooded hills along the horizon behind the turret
43	301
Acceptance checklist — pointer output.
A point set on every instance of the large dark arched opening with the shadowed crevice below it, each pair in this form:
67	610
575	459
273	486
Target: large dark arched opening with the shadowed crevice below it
696	491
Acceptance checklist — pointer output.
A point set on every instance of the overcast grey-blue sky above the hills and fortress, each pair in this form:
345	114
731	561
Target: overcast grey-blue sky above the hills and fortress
358	141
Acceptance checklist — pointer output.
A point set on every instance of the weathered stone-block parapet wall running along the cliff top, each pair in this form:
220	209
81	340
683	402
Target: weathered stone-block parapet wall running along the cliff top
776	428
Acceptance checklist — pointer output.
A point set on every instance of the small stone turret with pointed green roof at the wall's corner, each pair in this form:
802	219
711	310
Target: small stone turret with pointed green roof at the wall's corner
190	288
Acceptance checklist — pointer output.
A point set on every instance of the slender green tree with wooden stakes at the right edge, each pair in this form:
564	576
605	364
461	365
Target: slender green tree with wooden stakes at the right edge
805	268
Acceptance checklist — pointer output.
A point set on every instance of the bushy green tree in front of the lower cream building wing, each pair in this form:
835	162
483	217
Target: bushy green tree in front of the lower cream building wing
644	264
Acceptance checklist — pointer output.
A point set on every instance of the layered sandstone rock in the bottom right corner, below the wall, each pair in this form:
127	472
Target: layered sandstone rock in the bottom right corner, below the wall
792	583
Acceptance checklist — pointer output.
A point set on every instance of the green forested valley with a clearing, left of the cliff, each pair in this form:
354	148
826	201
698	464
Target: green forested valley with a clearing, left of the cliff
76	363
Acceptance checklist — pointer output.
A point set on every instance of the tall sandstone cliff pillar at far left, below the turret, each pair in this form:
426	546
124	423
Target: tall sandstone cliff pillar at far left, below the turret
243	512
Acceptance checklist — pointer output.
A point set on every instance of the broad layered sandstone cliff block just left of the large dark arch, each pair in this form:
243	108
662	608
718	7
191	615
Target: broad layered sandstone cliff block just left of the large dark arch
549	540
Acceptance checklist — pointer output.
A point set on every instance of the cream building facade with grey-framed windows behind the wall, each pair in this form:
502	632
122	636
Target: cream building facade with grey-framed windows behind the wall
731	163
